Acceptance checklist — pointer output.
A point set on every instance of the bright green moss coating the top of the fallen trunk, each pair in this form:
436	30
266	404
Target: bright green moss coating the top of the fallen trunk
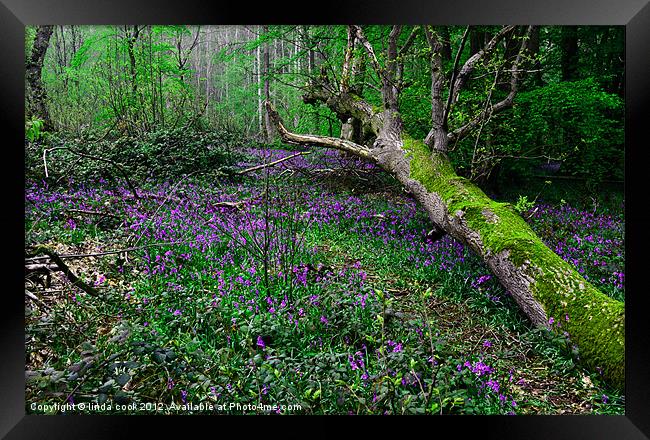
596	323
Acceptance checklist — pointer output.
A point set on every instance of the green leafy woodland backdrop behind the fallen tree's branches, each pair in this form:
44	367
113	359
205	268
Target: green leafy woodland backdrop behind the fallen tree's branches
97	85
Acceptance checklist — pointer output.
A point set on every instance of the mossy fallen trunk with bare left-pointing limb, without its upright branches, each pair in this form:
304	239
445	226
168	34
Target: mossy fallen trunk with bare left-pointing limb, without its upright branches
543	285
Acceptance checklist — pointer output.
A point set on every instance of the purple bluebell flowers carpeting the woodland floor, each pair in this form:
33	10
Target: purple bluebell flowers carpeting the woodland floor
212	236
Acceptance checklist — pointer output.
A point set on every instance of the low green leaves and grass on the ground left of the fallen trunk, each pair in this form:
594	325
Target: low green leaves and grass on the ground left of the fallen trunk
177	325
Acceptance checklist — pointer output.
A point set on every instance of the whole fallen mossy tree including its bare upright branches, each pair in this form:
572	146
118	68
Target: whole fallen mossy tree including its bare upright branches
545	287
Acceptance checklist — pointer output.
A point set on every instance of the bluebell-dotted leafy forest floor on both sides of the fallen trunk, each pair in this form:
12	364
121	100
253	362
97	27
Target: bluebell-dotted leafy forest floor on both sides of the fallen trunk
277	295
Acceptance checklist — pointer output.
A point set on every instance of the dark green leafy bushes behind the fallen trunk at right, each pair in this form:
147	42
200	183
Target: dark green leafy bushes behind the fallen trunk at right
566	128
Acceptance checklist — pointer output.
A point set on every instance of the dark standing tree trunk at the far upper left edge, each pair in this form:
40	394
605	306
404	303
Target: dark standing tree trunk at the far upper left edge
35	92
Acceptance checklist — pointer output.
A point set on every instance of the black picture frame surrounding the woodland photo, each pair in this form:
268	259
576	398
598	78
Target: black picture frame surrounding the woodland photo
633	14
